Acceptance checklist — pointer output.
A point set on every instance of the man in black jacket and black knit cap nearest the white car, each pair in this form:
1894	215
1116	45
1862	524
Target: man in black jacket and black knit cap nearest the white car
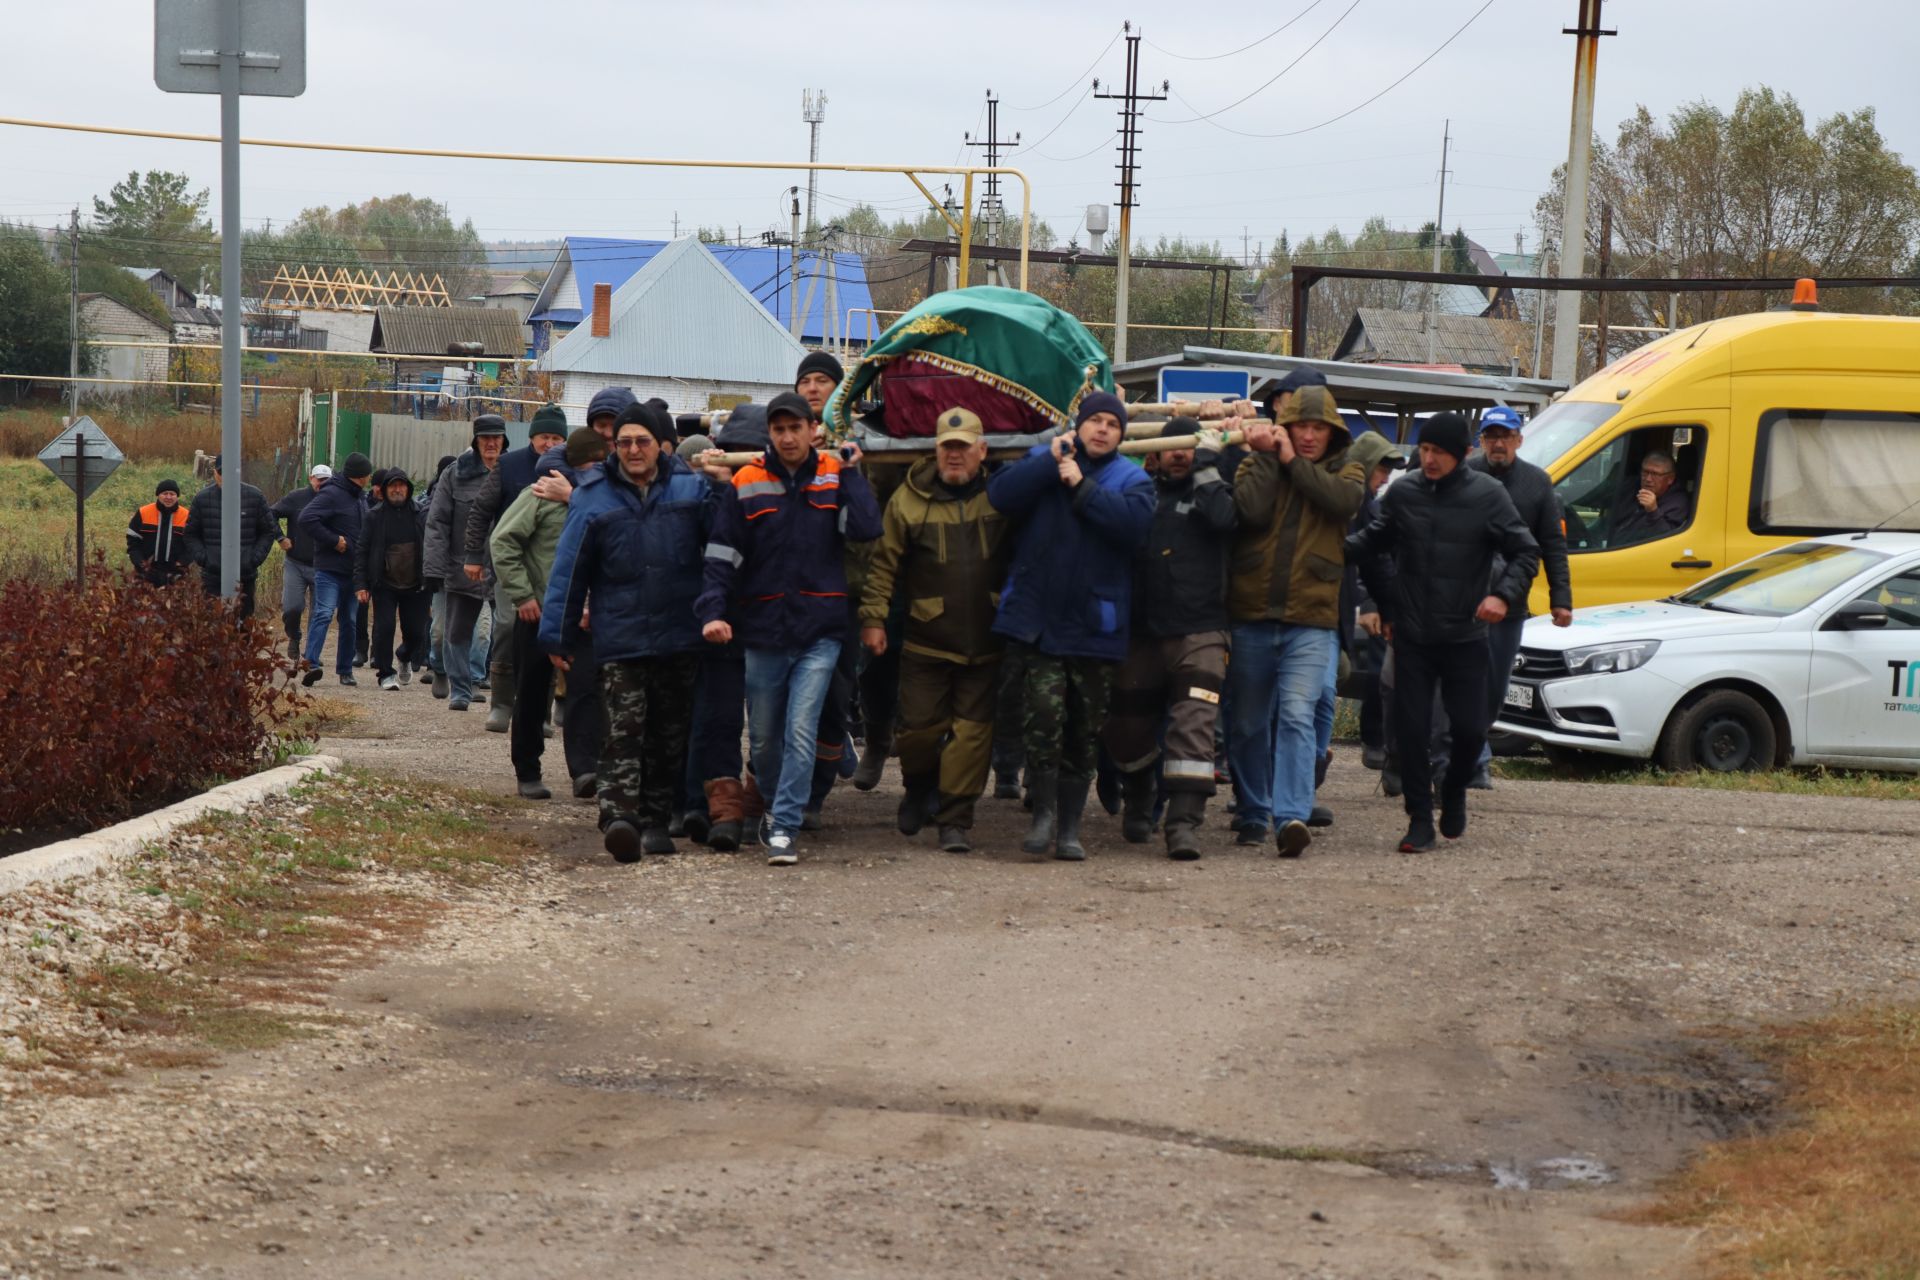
1445	531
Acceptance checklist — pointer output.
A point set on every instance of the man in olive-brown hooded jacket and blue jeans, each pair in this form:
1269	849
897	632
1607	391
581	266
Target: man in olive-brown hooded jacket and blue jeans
1295	496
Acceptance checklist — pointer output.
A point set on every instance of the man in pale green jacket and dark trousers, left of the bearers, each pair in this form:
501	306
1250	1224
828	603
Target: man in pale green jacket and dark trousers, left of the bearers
523	546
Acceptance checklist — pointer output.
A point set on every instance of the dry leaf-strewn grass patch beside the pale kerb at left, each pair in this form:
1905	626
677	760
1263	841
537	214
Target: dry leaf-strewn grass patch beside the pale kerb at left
276	905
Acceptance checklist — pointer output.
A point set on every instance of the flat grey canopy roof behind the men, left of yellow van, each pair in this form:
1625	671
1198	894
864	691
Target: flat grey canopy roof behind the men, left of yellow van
1372	389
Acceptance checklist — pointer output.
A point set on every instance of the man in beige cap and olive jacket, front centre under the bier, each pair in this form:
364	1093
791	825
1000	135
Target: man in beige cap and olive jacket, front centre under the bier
948	550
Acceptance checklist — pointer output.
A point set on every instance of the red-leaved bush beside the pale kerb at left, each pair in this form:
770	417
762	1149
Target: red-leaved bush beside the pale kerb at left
122	696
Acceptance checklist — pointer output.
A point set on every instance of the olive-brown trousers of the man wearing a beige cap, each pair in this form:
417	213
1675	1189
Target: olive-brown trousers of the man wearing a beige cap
946	732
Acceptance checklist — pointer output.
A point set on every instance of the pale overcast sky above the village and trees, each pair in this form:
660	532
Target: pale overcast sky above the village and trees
903	82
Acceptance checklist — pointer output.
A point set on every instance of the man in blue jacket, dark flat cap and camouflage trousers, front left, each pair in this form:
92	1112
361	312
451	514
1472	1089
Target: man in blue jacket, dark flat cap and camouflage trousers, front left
633	544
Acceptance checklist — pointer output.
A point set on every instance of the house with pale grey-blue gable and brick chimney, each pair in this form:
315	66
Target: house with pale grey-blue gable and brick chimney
684	329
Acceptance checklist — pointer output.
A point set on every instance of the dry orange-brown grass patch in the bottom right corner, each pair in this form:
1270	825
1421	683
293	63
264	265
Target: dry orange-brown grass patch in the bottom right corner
1835	1195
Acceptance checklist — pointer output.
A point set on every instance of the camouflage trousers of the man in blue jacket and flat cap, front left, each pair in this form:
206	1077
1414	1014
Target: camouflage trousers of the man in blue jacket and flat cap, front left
650	713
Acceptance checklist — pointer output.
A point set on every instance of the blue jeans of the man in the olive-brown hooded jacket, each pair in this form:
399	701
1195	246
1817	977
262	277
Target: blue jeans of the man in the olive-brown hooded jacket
1276	684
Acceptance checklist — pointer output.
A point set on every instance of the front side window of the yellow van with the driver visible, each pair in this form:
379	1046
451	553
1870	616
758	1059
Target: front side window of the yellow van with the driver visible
1600	498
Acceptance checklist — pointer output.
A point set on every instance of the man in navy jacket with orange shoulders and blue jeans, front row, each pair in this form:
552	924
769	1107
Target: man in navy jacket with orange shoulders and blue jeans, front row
777	575
